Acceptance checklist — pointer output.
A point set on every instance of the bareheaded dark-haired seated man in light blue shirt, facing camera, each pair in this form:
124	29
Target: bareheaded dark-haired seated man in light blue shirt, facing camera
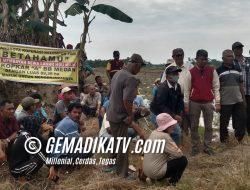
70	127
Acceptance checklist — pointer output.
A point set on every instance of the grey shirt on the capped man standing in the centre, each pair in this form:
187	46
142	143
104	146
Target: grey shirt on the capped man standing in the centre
123	87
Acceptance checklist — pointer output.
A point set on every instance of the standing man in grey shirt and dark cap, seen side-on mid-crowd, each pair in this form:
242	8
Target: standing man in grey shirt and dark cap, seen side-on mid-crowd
120	110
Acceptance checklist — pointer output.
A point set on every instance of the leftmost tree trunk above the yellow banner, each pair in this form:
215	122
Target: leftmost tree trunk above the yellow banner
5	8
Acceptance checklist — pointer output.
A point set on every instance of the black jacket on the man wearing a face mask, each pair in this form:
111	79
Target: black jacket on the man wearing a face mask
167	100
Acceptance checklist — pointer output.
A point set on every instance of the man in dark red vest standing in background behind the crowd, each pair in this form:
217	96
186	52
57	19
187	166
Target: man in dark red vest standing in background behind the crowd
114	65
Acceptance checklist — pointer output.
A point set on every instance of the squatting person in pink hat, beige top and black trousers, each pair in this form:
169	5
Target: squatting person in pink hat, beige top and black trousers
169	164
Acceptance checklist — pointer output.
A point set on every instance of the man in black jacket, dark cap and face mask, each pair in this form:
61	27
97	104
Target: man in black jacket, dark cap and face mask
169	99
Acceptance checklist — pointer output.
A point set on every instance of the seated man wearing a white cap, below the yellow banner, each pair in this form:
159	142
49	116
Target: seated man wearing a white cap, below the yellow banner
61	106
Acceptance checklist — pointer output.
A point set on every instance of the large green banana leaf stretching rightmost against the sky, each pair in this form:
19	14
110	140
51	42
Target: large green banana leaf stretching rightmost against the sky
112	12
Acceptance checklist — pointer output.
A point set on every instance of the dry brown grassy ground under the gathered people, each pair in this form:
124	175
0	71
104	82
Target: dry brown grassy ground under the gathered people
228	169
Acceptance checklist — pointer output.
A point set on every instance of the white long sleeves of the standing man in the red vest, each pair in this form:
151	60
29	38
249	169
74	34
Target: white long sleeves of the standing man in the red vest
215	87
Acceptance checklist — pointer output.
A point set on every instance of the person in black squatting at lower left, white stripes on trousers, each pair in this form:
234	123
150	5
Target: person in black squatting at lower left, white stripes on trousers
23	165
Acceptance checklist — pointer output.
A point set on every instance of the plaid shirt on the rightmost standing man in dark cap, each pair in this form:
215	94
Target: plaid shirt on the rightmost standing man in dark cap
244	64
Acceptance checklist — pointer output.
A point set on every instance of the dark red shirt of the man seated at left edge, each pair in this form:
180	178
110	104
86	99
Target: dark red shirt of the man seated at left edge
8	127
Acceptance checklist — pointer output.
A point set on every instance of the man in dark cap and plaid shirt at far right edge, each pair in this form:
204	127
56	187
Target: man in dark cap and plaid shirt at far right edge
244	64
